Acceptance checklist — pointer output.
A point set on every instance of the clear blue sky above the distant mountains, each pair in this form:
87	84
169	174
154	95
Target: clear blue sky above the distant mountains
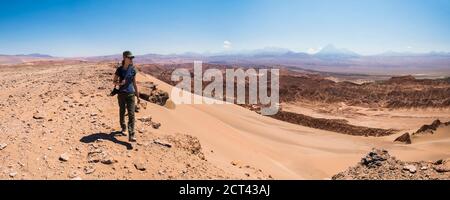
102	27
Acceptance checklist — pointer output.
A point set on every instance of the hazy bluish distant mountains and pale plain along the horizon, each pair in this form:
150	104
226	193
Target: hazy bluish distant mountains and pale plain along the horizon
329	58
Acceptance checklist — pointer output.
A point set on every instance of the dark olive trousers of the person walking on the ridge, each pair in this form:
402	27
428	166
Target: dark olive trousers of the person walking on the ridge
127	101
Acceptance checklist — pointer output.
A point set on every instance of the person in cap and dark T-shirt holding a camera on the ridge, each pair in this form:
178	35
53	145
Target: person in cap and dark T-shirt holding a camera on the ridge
125	78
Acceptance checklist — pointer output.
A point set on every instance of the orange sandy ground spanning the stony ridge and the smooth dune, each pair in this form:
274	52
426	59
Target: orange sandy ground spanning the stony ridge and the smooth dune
236	142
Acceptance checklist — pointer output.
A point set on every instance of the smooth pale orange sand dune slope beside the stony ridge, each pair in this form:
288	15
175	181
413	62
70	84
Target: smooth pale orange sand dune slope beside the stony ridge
284	150
